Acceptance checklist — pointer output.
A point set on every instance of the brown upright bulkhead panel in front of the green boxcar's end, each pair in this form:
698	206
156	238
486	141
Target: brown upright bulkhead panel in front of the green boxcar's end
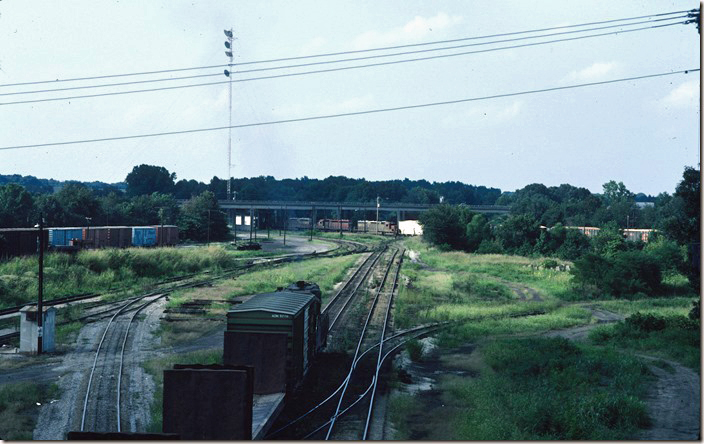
266	352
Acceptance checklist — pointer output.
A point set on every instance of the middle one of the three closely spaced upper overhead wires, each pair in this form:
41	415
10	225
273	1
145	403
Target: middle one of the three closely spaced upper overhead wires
355	59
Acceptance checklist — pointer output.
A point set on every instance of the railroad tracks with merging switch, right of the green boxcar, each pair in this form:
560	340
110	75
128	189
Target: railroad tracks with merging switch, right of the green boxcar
347	413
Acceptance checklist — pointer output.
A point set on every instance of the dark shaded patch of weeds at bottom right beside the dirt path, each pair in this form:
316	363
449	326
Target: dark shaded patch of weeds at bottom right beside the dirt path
552	389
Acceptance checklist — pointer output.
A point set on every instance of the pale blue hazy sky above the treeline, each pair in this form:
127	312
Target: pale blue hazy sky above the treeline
639	132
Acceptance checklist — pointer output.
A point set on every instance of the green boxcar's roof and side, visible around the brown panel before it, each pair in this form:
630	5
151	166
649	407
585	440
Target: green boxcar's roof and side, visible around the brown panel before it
285	312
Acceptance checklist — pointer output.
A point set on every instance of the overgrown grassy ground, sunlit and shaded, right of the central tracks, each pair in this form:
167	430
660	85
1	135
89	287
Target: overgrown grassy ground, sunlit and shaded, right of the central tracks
532	387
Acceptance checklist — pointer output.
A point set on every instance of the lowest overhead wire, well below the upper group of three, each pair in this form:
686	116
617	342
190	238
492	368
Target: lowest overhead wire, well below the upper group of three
350	114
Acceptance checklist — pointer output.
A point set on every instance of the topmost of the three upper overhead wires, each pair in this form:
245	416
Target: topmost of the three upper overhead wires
164	71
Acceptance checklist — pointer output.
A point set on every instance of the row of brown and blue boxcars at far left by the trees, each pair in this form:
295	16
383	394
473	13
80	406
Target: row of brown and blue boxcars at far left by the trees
25	241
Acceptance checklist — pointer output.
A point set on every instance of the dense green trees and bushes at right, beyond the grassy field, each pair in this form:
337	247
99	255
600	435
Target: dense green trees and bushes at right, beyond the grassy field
606	263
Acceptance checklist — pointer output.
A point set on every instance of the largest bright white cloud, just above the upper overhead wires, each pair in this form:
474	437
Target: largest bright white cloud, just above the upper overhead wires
416	29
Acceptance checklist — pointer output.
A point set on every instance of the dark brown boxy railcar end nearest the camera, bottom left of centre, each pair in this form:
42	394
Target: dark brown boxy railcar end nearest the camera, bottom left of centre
208	402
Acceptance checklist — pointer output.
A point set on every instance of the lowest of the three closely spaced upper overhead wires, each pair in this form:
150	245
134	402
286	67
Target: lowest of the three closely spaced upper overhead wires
342	68
